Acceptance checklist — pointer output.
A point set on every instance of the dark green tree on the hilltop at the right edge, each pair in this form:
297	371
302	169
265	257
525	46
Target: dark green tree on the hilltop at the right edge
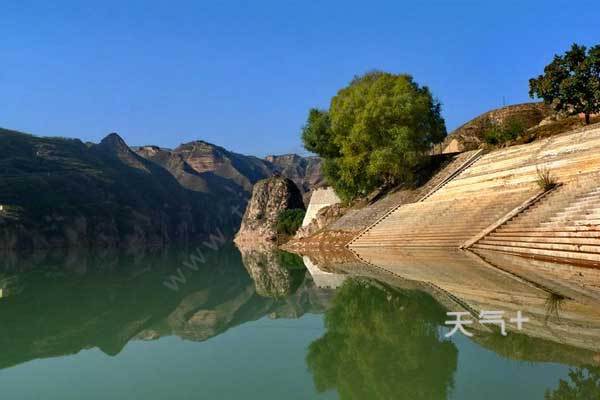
571	82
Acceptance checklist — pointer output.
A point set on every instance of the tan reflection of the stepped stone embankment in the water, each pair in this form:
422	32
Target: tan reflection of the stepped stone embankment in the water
561	311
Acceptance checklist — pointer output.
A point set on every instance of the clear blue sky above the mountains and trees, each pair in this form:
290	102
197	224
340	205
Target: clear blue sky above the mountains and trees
243	74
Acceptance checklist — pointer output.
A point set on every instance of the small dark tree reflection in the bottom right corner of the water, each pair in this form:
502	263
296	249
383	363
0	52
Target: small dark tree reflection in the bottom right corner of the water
584	385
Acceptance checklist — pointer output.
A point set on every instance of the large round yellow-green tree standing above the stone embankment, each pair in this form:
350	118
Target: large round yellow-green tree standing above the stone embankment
377	131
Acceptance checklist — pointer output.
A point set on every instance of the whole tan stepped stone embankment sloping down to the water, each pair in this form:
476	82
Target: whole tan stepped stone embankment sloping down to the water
501	182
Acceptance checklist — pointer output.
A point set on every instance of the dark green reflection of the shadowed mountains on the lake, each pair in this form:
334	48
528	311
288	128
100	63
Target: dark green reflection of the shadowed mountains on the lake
117	298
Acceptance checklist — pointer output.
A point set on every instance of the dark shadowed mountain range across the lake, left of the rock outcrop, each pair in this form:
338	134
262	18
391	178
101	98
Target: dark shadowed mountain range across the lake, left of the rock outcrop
59	192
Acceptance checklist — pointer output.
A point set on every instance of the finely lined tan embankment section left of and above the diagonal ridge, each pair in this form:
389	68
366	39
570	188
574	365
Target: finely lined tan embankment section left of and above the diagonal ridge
488	190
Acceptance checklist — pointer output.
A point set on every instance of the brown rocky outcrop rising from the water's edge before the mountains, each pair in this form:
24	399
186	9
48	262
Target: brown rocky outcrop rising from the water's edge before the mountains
269	198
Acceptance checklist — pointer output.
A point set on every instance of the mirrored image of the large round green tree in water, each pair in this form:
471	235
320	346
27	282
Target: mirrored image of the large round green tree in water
383	344
